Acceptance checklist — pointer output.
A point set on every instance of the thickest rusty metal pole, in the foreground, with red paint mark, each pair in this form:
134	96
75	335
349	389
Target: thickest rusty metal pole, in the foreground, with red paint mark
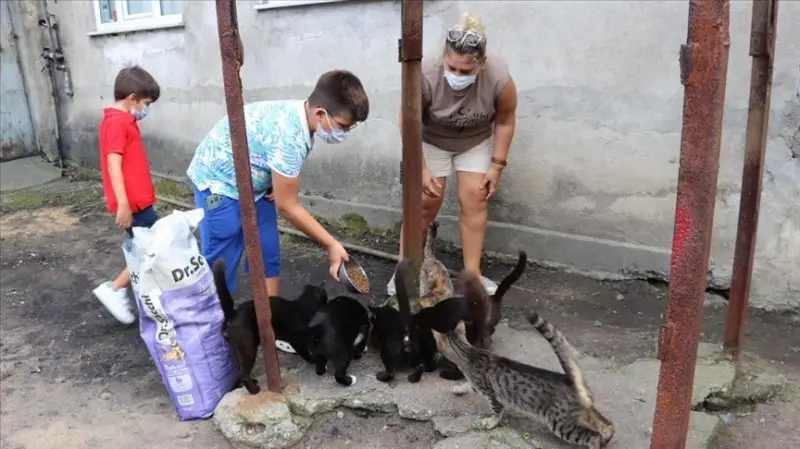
704	67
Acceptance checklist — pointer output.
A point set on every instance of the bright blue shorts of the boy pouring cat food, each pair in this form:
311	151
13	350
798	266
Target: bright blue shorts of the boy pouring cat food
221	233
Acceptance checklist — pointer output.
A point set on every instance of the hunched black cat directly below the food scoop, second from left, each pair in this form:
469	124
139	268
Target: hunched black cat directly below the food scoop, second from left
338	333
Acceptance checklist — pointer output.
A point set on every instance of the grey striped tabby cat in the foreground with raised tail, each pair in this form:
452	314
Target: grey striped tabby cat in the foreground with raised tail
563	402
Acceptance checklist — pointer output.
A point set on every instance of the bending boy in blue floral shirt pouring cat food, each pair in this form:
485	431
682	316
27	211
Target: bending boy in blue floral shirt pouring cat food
280	135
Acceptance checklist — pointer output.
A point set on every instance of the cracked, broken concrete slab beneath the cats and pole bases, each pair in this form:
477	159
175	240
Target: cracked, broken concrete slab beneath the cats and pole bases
625	393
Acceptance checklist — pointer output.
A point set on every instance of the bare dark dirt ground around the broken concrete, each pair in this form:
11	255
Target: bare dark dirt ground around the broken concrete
72	377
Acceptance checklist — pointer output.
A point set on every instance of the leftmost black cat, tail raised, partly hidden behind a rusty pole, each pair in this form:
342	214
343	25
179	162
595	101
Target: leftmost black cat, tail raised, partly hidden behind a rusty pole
289	323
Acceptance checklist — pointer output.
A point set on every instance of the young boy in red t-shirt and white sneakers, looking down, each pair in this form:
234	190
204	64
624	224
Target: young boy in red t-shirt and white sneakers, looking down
126	173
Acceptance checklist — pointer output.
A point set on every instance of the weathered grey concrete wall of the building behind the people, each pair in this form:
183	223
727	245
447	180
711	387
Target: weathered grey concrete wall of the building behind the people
593	168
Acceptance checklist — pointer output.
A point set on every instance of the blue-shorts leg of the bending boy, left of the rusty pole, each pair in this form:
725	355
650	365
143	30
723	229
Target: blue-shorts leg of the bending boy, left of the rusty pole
221	233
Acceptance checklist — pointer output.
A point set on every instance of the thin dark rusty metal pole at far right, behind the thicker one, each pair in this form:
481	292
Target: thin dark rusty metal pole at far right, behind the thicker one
763	31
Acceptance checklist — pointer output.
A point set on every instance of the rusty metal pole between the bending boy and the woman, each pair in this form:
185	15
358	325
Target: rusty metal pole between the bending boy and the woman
410	47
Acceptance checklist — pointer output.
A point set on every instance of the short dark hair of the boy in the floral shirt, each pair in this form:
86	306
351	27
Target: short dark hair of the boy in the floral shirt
340	93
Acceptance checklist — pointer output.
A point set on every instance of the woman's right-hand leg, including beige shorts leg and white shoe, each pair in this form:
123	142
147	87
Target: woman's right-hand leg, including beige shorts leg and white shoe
471	167
